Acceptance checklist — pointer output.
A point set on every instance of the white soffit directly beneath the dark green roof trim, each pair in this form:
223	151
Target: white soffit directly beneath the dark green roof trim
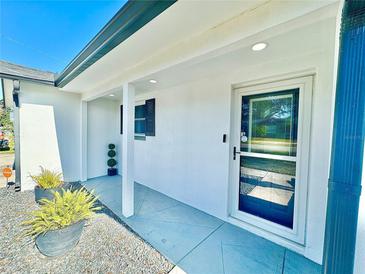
182	20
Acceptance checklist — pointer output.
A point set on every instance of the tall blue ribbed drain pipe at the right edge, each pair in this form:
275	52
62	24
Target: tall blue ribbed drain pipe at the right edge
344	186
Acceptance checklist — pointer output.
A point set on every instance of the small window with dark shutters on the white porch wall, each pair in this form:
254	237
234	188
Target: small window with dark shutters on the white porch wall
144	120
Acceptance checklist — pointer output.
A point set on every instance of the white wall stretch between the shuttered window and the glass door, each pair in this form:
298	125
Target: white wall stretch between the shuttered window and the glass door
187	159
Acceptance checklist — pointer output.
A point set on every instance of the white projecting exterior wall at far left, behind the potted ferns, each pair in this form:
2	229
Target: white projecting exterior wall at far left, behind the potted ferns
67	124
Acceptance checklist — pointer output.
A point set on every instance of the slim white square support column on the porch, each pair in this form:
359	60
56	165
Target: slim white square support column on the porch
128	151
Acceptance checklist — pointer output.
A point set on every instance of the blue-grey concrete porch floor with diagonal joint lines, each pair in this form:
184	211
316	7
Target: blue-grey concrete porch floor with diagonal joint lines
193	240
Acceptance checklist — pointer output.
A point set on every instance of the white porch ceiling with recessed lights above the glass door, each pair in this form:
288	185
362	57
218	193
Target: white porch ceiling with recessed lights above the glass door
301	40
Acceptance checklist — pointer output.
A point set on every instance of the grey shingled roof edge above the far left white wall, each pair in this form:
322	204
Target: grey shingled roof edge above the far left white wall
13	71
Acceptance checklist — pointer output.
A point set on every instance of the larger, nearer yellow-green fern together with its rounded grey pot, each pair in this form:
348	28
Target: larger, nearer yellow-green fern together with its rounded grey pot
57	225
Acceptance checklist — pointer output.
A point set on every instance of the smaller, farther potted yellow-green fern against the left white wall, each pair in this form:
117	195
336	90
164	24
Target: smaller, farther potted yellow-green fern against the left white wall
47	182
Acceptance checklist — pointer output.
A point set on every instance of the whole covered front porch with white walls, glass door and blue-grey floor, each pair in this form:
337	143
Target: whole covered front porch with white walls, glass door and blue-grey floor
185	128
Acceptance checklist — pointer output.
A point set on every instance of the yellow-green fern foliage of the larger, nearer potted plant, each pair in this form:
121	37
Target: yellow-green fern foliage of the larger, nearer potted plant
65	209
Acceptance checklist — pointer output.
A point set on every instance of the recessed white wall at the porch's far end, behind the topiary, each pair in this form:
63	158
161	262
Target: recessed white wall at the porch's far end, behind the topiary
102	129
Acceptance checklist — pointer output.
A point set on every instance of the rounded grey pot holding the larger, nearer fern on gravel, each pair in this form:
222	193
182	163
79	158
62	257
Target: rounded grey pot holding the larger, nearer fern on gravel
58	242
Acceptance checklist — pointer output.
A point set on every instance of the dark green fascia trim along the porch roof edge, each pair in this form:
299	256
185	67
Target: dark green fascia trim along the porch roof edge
129	19
